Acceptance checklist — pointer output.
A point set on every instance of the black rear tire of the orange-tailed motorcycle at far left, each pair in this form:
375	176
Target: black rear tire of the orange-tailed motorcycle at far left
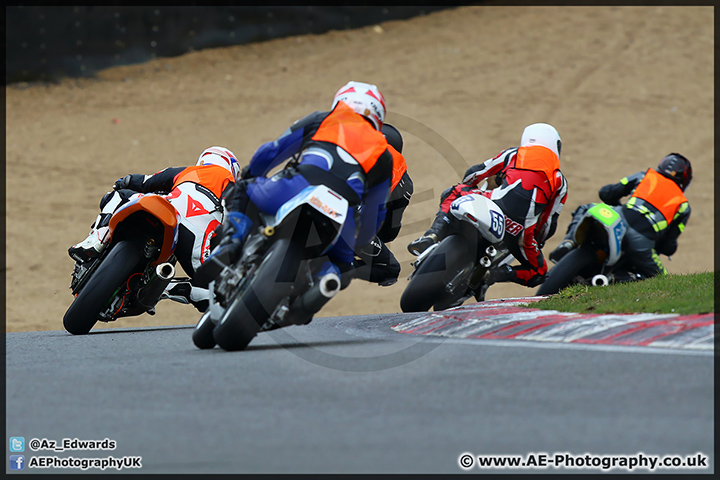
95	296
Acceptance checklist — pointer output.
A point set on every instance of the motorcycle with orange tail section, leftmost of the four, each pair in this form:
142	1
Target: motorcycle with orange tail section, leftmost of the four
132	271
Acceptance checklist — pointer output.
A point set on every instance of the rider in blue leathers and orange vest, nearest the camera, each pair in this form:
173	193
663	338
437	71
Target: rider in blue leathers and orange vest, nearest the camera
343	149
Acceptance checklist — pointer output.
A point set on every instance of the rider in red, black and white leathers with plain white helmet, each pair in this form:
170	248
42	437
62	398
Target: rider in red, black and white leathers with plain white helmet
527	184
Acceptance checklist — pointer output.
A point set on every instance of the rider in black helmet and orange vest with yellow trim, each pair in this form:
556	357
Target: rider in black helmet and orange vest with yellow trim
656	214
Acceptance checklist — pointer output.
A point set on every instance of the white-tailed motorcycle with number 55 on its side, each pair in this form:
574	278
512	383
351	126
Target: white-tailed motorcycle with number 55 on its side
456	268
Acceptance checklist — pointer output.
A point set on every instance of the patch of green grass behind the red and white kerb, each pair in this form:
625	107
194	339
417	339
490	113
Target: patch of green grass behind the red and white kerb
683	294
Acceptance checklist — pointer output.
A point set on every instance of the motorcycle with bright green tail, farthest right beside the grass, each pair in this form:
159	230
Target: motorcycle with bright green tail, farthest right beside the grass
598	236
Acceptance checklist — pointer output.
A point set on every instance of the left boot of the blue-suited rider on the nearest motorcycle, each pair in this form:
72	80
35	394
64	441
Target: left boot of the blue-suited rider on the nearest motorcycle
234	231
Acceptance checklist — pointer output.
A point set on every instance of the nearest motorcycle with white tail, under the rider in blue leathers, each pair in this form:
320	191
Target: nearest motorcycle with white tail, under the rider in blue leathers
275	282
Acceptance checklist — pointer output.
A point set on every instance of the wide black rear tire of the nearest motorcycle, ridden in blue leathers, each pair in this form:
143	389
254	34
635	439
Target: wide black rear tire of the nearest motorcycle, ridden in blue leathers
252	307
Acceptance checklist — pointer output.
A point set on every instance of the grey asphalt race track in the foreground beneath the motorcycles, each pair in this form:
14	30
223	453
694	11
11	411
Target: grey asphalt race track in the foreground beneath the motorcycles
350	395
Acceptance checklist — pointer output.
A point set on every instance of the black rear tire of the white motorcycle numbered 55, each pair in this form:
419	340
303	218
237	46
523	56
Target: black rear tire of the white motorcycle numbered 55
426	288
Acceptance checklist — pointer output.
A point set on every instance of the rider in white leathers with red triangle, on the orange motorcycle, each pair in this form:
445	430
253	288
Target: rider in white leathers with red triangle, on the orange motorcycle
196	192
